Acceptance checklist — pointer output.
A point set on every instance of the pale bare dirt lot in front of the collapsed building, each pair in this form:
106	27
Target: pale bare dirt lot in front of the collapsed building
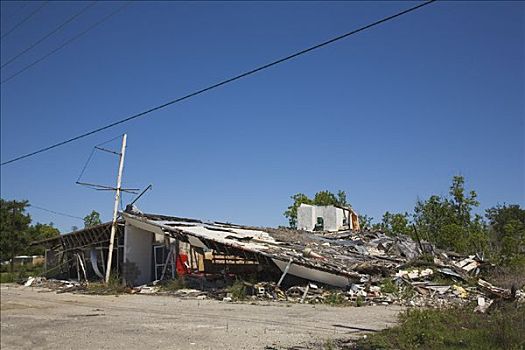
36	318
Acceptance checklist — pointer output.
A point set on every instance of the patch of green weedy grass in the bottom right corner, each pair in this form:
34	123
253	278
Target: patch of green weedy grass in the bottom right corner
458	328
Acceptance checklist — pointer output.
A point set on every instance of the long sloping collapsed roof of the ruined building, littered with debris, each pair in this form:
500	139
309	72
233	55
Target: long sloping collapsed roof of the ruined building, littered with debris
334	259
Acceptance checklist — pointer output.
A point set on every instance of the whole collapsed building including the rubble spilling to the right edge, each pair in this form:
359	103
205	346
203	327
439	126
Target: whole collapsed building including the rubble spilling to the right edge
286	264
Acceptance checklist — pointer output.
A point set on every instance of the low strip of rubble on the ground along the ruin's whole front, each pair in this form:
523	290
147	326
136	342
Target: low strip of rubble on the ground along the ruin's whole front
424	287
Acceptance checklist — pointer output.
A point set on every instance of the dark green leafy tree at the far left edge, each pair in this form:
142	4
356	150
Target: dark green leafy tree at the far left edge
14	226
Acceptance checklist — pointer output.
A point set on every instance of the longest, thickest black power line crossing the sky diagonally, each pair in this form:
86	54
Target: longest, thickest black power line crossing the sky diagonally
224	82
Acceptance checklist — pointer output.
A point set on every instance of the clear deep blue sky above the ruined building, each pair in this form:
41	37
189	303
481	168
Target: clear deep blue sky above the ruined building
388	115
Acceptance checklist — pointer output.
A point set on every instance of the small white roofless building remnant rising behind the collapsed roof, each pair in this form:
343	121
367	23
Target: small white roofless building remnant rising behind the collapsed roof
326	218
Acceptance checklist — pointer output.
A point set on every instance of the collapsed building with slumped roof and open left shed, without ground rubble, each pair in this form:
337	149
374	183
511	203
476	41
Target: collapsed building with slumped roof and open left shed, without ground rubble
154	247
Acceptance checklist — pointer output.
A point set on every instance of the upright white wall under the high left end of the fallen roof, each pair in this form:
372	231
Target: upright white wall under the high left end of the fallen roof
137	255
